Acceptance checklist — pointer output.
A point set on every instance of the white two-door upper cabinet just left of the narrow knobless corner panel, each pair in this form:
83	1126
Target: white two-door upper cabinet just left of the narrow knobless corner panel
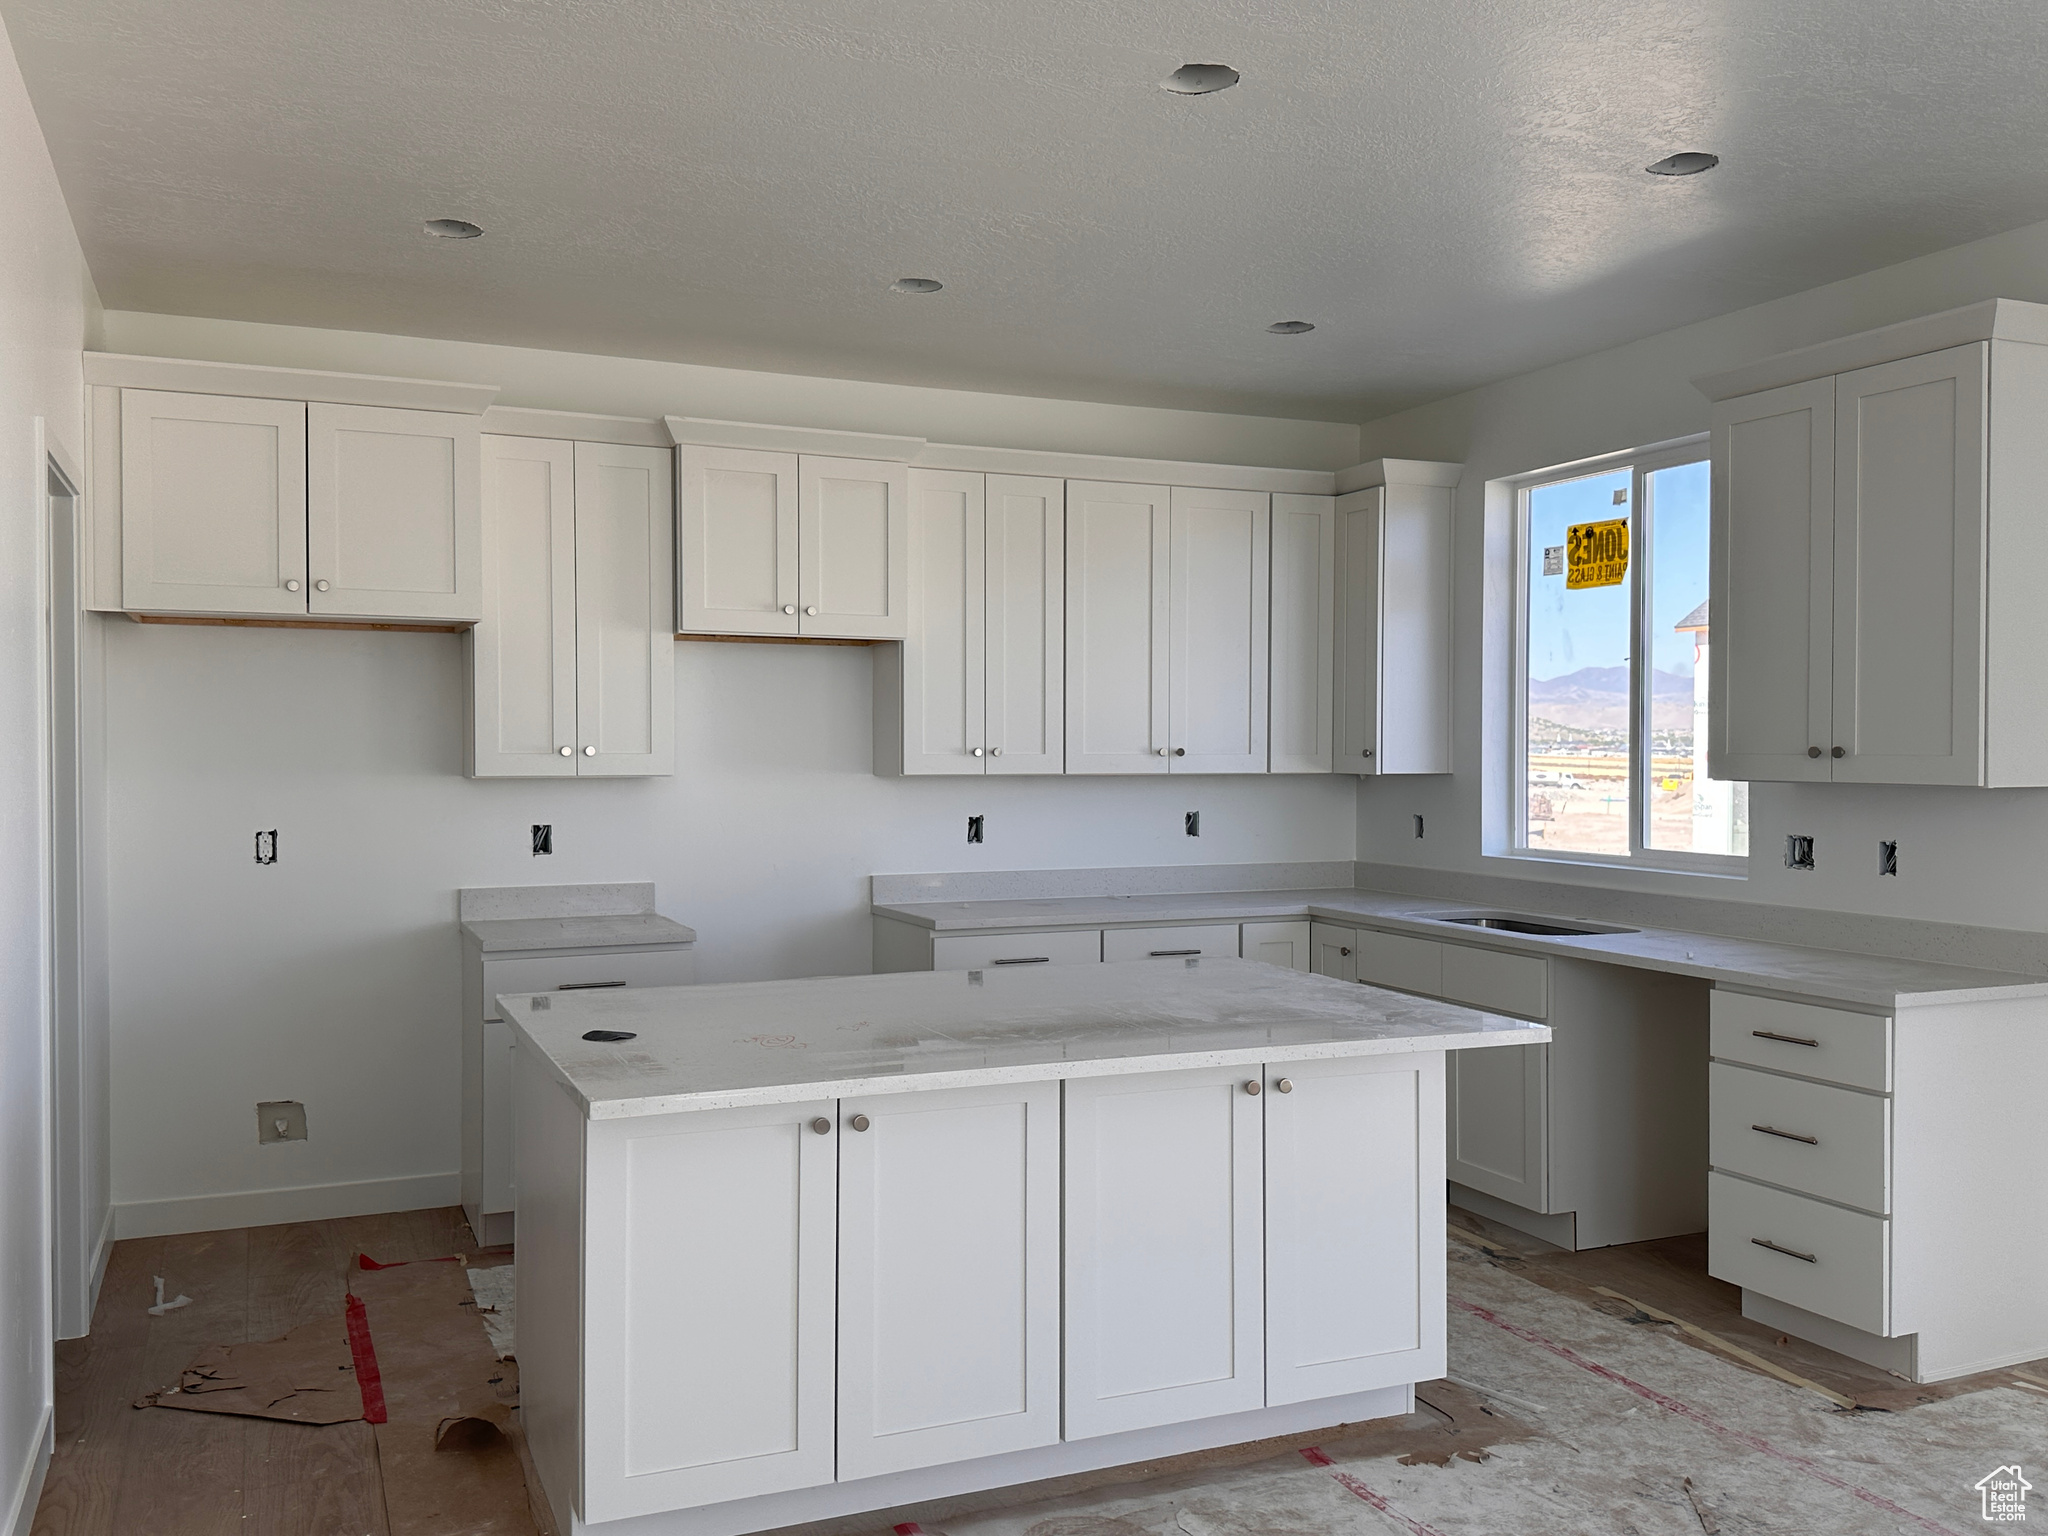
1168	599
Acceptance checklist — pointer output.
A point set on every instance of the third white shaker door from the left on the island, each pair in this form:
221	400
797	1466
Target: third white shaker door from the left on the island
1166	1310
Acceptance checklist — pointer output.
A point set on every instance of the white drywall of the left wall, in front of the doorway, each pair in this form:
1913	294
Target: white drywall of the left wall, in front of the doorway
46	316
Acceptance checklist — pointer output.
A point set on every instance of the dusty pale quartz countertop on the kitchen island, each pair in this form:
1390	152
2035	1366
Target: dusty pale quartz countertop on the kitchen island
843	1037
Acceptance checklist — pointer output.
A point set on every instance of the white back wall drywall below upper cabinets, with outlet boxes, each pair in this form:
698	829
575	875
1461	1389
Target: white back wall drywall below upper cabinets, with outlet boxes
333	976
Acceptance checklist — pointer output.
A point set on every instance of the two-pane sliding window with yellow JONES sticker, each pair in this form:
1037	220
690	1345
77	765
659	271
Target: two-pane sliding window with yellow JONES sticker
1611	679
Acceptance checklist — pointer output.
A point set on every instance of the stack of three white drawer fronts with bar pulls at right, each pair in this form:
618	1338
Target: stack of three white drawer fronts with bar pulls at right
1799	1197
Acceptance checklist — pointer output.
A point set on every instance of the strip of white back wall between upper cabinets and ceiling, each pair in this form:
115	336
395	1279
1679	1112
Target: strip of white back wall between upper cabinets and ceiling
579	382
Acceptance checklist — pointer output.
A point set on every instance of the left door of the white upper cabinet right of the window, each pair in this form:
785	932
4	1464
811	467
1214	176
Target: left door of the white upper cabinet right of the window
1773	579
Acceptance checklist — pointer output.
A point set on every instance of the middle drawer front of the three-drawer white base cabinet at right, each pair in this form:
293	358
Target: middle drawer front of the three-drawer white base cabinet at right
1818	1140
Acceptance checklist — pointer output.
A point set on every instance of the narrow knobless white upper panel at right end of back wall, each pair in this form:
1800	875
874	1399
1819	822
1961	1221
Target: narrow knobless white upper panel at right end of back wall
1304	634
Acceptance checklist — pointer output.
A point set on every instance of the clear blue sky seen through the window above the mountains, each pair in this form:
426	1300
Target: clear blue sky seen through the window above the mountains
1590	628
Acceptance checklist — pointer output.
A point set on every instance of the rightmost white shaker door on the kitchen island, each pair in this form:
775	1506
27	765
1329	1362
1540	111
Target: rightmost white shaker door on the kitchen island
1355	1226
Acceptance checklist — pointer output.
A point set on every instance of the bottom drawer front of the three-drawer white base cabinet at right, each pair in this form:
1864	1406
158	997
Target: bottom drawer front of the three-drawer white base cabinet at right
1838	1263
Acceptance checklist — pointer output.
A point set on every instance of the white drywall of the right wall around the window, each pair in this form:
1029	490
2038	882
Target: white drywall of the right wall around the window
1967	857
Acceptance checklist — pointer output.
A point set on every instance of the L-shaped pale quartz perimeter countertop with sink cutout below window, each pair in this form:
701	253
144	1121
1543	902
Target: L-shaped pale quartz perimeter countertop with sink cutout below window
1824	976
